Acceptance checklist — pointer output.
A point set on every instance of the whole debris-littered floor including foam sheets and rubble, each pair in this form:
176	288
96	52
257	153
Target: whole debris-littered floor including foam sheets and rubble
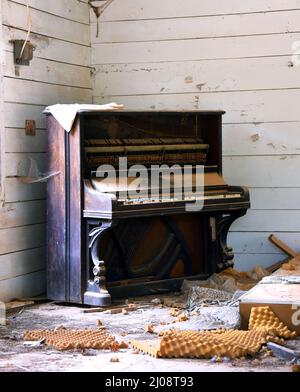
202	321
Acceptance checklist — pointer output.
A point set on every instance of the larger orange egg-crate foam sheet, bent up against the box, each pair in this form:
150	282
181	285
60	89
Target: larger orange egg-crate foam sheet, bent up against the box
264	326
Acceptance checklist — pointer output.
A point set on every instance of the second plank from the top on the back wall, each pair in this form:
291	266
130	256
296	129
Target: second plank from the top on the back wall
201	27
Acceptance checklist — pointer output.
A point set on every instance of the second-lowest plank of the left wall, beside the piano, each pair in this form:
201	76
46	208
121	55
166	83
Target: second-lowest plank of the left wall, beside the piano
20	263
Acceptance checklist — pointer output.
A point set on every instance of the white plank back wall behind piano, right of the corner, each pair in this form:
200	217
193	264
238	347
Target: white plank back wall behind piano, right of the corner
210	54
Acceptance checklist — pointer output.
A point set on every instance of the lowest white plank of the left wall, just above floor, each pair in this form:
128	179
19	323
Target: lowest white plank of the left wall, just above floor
24	286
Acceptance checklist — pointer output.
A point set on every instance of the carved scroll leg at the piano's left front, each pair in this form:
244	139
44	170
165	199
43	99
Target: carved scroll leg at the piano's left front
97	293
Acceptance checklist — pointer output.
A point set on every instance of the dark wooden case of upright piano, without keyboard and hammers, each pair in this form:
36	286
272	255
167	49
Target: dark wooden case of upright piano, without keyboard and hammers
92	259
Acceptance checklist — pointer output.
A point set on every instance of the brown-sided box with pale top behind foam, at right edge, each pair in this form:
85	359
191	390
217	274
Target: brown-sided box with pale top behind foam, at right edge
283	299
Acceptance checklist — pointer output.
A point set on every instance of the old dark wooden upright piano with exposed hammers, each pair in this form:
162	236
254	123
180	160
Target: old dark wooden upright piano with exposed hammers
109	237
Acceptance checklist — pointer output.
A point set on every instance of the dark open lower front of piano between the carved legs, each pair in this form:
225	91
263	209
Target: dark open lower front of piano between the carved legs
152	250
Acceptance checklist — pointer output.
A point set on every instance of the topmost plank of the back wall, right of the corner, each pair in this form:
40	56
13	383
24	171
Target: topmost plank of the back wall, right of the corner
155	9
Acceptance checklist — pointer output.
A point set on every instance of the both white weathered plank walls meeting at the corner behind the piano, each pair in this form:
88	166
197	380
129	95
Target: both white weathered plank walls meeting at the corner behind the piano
155	54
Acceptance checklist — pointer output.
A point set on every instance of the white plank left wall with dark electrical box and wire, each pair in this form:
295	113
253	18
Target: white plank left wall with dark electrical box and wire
59	72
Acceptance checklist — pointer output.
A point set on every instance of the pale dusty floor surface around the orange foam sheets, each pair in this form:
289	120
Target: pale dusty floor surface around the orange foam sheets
15	357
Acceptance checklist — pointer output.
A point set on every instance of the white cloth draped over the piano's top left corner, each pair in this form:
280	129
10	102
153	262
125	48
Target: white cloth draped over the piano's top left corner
66	114
